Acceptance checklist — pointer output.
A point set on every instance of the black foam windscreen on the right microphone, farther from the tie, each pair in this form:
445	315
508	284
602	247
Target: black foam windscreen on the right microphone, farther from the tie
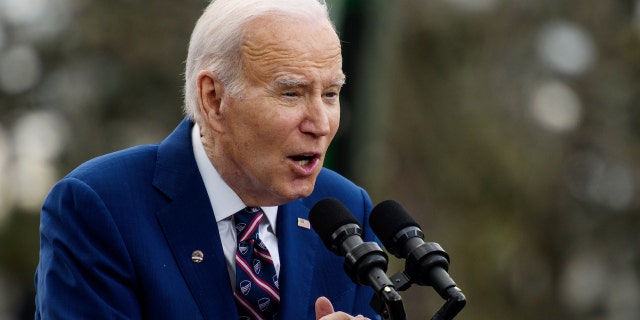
387	219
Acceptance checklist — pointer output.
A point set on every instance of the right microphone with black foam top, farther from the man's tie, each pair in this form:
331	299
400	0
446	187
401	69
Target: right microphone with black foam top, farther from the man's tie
427	264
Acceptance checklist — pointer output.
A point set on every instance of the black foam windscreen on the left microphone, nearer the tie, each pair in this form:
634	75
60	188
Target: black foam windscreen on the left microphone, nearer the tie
327	215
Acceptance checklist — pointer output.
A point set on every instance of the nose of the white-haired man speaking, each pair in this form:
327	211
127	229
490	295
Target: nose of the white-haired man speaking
319	118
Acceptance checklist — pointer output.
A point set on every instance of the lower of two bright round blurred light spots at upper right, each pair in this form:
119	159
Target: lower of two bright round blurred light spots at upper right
555	107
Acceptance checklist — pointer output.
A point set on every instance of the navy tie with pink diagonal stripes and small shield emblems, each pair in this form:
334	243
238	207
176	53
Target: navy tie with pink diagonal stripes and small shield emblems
256	292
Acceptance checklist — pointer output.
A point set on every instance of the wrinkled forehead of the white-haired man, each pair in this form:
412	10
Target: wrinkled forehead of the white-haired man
277	45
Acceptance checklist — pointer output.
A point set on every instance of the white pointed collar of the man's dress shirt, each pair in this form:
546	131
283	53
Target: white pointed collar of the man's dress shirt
224	201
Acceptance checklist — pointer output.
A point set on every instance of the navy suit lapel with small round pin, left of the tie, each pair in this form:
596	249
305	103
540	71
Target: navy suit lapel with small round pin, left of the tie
189	224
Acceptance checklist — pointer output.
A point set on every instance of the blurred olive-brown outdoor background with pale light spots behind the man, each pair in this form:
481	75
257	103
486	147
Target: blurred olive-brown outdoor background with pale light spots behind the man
510	130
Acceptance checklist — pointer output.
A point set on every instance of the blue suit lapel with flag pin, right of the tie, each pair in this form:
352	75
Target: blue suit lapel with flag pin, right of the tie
298	247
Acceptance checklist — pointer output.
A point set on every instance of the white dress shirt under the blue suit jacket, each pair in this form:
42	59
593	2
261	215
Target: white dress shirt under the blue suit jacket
225	203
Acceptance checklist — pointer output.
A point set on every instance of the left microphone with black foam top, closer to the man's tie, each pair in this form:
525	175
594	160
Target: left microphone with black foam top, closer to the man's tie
365	262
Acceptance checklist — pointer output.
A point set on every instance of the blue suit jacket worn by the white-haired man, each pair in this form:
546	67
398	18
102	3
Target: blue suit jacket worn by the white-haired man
117	236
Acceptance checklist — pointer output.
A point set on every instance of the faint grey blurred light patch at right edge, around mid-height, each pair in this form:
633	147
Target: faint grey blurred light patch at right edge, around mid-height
596	180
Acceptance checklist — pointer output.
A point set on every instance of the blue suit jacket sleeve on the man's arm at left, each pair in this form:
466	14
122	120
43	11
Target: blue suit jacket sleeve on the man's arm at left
84	271
